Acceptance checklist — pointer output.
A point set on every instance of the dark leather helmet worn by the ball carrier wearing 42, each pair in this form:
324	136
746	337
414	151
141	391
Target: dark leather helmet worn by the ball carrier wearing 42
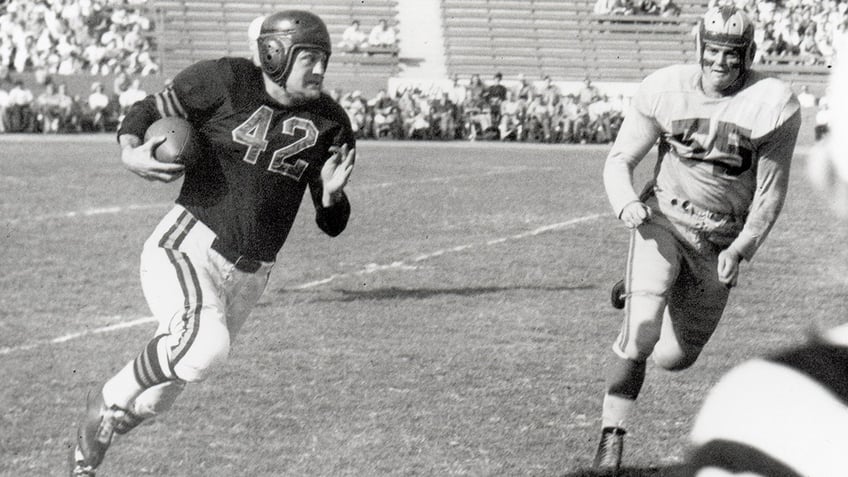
283	34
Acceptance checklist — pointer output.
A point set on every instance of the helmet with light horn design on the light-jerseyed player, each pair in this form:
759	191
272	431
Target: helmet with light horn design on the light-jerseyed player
730	27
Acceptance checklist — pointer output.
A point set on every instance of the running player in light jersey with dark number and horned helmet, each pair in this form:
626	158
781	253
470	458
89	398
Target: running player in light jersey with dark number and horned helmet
726	138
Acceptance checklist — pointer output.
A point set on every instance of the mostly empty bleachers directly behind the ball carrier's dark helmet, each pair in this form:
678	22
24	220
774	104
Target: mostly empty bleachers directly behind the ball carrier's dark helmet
192	30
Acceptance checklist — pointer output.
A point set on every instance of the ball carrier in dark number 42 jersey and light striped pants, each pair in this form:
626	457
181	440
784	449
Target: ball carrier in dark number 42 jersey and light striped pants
269	133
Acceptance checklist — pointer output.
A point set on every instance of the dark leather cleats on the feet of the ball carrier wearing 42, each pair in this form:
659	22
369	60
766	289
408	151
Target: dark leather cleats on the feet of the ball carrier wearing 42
95	433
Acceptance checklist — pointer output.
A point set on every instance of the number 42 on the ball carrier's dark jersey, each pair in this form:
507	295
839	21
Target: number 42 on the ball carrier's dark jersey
252	134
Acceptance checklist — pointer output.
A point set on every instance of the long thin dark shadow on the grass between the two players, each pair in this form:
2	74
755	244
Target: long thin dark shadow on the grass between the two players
395	293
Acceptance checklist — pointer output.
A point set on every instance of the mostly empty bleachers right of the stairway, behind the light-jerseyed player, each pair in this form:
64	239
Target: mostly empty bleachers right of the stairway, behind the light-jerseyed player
568	42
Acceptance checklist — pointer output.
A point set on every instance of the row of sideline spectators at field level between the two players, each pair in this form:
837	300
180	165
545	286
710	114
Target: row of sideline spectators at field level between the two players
473	110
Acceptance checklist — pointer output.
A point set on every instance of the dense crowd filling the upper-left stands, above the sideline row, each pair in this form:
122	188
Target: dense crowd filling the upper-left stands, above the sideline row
63	37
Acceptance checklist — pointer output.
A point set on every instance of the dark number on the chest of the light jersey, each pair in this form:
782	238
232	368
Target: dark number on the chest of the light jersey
729	139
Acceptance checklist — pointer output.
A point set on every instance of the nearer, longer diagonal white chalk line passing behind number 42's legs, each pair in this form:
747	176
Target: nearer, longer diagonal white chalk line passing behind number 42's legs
407	264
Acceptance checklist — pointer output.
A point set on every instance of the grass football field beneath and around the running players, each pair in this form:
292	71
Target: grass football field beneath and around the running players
459	326
